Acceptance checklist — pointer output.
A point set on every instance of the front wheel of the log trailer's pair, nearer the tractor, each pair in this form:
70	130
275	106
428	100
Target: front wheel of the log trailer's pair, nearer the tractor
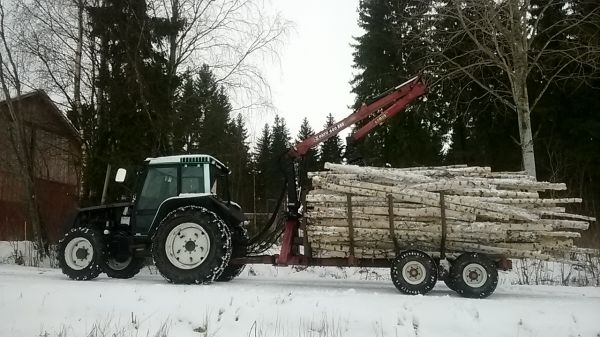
414	272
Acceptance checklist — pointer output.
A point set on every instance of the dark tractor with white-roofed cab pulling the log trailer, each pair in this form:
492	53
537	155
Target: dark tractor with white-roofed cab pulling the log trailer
181	216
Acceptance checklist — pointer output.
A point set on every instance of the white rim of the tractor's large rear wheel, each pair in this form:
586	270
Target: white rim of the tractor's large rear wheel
187	245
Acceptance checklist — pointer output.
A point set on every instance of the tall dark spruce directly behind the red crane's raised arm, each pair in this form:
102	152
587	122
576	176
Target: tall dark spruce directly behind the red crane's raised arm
391	51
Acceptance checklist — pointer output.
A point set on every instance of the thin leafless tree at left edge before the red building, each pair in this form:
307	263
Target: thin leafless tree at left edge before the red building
21	136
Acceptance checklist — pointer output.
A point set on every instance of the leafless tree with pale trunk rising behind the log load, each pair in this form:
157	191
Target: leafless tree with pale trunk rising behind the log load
510	50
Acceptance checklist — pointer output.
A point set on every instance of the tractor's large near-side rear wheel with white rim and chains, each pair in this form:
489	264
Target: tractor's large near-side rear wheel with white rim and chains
191	245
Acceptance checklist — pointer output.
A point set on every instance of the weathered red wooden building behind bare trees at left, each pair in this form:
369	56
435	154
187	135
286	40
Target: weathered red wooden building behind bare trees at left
57	152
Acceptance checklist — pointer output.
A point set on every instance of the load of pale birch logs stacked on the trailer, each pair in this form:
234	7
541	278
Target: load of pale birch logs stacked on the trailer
372	212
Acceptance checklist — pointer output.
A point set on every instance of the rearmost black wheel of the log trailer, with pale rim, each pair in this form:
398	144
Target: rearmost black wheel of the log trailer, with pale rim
473	275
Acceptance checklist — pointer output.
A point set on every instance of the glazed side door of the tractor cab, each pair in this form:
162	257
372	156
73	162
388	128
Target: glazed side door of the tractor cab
159	185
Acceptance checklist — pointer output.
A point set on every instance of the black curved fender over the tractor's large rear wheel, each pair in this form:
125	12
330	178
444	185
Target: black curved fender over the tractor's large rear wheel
230	213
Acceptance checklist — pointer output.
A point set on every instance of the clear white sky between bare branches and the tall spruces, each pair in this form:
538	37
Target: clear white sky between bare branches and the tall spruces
312	77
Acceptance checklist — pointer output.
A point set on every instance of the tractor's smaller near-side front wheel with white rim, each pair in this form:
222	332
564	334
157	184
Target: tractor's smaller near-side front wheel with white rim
80	254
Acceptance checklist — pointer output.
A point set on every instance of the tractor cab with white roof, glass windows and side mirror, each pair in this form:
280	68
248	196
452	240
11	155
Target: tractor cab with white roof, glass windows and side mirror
166	179
